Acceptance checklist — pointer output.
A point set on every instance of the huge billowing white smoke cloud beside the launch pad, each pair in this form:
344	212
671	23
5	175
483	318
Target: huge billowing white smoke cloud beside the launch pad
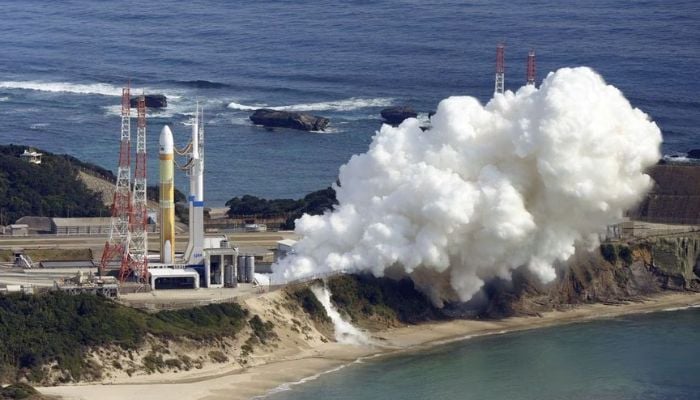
487	189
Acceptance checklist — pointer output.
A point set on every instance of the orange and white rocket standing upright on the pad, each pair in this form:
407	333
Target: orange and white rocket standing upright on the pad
167	197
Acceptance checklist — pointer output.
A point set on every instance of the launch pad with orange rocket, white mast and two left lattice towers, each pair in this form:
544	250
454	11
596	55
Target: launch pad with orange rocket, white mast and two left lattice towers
208	262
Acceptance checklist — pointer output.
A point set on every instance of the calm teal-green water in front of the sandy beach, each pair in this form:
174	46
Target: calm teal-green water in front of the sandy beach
652	356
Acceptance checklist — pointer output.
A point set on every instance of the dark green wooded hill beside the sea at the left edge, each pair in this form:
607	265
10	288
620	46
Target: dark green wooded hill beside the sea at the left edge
50	189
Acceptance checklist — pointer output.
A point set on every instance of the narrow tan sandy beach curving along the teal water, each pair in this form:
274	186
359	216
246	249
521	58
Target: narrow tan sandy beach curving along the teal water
292	367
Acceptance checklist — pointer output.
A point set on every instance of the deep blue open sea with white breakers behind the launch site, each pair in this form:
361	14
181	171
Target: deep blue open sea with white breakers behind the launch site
62	65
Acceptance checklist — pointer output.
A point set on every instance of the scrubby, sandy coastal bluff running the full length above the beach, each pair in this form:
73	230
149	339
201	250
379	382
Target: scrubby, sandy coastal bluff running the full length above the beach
56	338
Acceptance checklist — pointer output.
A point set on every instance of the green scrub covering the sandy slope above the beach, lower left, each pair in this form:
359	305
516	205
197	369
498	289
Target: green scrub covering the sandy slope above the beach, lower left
56	327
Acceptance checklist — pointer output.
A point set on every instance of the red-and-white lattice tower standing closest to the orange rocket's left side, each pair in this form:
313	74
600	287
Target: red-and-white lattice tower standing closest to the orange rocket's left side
138	246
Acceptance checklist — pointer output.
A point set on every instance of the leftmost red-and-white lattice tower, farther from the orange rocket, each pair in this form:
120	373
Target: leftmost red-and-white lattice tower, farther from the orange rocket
117	246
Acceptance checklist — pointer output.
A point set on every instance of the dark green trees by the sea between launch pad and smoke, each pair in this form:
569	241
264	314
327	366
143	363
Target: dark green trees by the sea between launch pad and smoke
314	204
